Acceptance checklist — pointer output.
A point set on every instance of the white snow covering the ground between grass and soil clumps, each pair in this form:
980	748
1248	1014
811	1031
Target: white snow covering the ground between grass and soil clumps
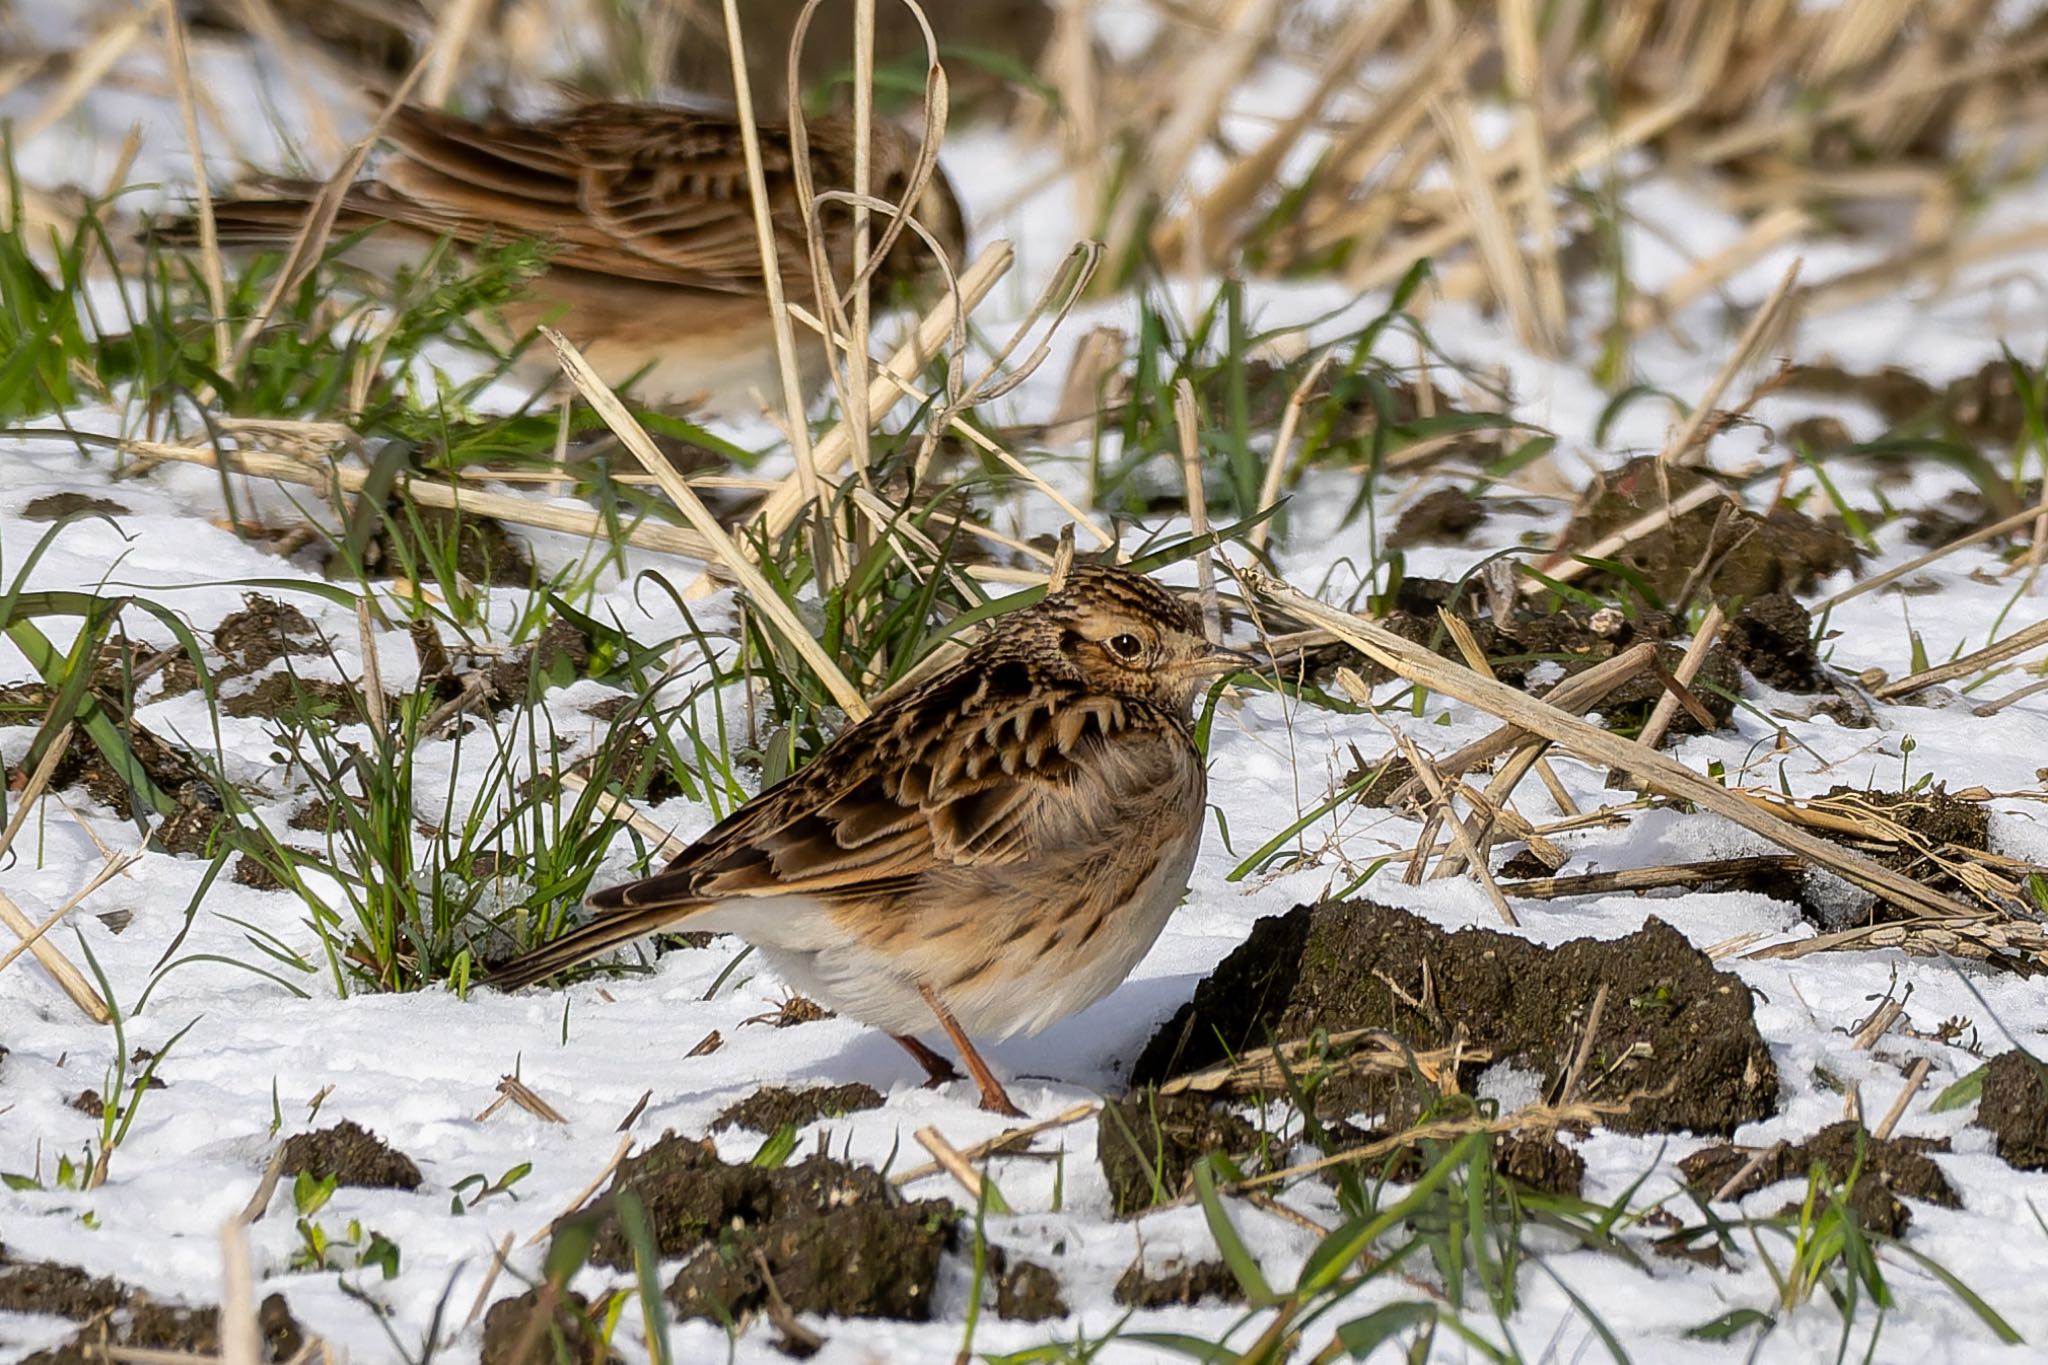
421	1069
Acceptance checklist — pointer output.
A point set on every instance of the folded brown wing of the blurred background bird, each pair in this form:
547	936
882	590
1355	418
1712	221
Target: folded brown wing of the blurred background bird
632	191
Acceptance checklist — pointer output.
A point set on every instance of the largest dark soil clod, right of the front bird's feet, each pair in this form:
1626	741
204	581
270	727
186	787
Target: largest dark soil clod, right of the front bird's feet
1676	1039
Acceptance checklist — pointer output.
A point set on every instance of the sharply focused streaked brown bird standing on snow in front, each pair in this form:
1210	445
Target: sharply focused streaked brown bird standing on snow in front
994	848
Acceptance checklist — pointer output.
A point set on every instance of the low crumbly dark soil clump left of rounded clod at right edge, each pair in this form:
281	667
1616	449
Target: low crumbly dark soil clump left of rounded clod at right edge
1891	1168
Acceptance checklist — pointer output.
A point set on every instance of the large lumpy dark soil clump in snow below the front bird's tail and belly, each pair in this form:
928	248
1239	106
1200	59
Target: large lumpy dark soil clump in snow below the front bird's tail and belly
837	1239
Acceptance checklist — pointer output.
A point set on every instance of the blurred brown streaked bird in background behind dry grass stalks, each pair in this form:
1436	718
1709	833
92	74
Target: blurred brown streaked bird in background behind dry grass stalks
656	273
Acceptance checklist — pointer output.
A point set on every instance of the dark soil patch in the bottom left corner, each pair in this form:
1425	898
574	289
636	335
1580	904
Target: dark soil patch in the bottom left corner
116	1315
